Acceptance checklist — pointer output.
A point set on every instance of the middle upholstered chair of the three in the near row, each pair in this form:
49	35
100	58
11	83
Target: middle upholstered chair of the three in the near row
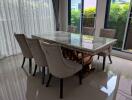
38	55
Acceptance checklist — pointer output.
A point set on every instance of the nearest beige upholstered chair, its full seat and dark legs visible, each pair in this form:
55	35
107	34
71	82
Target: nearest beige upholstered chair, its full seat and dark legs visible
58	66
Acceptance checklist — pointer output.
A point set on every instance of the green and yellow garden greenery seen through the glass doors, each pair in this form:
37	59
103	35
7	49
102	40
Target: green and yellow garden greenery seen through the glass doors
117	19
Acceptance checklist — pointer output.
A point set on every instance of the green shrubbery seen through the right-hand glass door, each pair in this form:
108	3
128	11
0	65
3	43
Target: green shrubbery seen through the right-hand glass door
117	20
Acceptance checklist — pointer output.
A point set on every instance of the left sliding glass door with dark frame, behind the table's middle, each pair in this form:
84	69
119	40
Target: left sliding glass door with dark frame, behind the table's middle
82	13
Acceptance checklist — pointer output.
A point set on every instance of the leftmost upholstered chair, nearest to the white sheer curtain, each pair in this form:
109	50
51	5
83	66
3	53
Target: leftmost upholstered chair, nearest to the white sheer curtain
21	39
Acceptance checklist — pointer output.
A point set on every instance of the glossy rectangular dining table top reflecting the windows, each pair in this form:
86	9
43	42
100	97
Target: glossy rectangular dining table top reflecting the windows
89	44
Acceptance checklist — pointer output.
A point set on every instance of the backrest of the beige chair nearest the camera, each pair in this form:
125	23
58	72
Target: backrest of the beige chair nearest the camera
55	59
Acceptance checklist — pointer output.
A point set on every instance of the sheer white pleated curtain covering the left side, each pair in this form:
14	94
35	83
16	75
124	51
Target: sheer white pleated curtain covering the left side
23	16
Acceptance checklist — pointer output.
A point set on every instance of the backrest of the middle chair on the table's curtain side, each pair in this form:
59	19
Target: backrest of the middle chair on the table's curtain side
37	52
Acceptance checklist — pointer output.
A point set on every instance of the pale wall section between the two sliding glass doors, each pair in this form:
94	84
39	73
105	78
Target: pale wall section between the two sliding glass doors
100	18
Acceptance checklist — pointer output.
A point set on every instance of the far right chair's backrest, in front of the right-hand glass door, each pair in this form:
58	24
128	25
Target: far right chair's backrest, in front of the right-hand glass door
108	33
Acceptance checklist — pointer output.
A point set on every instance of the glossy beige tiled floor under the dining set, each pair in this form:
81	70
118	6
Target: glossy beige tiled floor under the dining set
114	83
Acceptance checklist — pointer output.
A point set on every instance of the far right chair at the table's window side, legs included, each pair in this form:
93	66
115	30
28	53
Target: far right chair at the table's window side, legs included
108	33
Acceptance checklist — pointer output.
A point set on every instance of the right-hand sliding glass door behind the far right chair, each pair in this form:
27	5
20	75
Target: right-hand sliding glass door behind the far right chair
116	18
